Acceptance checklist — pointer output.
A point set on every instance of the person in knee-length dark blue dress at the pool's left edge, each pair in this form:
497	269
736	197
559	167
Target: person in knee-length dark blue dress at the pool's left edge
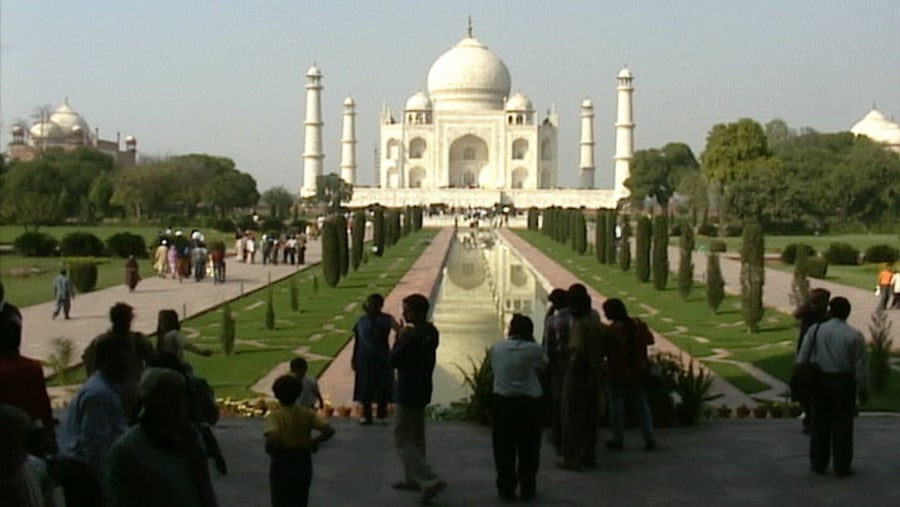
371	361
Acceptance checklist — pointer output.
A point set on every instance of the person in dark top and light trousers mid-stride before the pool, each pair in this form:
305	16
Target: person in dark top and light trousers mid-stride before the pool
414	356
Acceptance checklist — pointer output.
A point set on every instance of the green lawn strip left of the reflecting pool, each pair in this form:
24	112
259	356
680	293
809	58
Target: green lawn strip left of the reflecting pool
323	324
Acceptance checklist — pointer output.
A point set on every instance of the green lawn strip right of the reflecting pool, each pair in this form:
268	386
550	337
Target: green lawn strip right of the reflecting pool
692	327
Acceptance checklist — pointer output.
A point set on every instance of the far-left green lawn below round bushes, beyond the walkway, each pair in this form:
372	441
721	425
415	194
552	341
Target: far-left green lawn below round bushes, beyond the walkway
29	280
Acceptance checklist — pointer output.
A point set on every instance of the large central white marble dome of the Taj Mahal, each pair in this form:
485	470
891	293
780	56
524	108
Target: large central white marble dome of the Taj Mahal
468	76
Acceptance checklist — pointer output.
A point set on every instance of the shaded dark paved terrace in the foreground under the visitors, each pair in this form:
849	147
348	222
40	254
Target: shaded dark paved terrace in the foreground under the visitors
733	463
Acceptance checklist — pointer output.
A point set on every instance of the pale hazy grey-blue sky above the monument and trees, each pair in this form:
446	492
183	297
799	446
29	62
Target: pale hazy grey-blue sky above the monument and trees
226	77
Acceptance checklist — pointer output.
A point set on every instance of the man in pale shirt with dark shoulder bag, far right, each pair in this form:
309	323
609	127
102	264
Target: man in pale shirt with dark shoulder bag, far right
840	352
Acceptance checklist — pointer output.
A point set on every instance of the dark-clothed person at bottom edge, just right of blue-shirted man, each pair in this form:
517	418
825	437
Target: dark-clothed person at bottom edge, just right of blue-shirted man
161	461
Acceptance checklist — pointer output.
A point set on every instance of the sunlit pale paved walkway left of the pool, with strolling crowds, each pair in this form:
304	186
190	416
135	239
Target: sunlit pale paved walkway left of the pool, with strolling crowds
90	312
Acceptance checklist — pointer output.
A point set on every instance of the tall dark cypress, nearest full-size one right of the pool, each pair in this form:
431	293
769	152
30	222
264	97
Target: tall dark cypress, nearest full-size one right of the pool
753	275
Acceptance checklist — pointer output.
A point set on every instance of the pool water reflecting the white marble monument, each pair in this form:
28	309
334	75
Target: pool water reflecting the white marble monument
484	284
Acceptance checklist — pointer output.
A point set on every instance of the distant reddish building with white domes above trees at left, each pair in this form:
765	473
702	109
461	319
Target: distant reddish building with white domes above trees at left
64	128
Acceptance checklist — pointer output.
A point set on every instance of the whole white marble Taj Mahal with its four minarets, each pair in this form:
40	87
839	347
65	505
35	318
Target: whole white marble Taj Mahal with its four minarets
467	142
